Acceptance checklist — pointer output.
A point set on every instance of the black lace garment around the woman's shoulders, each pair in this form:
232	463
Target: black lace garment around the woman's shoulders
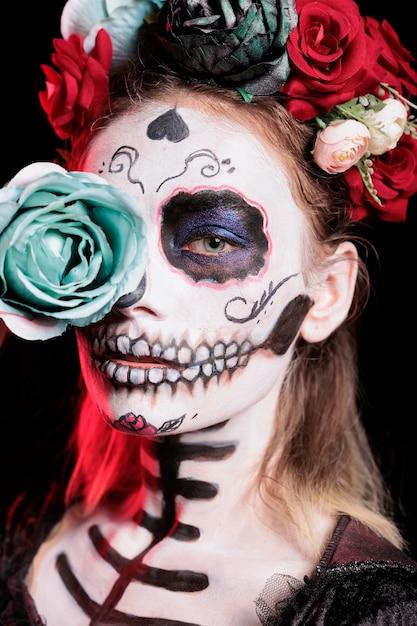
361	580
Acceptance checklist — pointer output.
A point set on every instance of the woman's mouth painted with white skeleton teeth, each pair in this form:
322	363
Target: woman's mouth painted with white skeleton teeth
138	362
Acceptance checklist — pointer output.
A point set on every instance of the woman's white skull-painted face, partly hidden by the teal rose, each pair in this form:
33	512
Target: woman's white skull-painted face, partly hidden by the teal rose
205	340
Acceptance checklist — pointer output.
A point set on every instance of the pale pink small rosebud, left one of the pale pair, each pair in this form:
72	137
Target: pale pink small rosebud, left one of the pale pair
340	145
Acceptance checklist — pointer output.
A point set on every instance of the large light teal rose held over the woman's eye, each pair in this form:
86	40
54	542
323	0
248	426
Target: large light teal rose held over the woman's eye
70	246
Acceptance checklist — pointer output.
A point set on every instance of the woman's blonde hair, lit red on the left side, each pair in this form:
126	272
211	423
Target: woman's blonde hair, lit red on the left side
319	456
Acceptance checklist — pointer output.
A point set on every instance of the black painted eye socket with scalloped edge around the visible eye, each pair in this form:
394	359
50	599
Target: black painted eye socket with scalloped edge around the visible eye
213	235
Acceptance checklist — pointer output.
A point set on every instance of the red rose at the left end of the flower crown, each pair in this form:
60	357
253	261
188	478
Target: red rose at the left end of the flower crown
75	94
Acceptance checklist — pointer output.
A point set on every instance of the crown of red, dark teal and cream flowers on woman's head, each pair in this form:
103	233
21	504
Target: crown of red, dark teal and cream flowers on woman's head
347	73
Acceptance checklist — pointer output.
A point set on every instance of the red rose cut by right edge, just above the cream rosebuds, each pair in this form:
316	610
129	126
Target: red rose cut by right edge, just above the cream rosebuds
394	60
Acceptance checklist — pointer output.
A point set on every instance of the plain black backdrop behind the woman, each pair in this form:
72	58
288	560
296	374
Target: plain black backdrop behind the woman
35	374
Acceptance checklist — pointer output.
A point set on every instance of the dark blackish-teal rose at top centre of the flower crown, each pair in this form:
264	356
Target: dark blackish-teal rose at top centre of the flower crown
238	44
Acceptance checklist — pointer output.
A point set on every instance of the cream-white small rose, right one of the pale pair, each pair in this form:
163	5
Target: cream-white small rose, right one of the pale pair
386	125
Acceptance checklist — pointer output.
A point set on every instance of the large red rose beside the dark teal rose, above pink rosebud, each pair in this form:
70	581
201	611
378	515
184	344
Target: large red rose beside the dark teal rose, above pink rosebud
332	58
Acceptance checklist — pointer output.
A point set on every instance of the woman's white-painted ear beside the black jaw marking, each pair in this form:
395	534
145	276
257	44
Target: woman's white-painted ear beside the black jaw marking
332	294
